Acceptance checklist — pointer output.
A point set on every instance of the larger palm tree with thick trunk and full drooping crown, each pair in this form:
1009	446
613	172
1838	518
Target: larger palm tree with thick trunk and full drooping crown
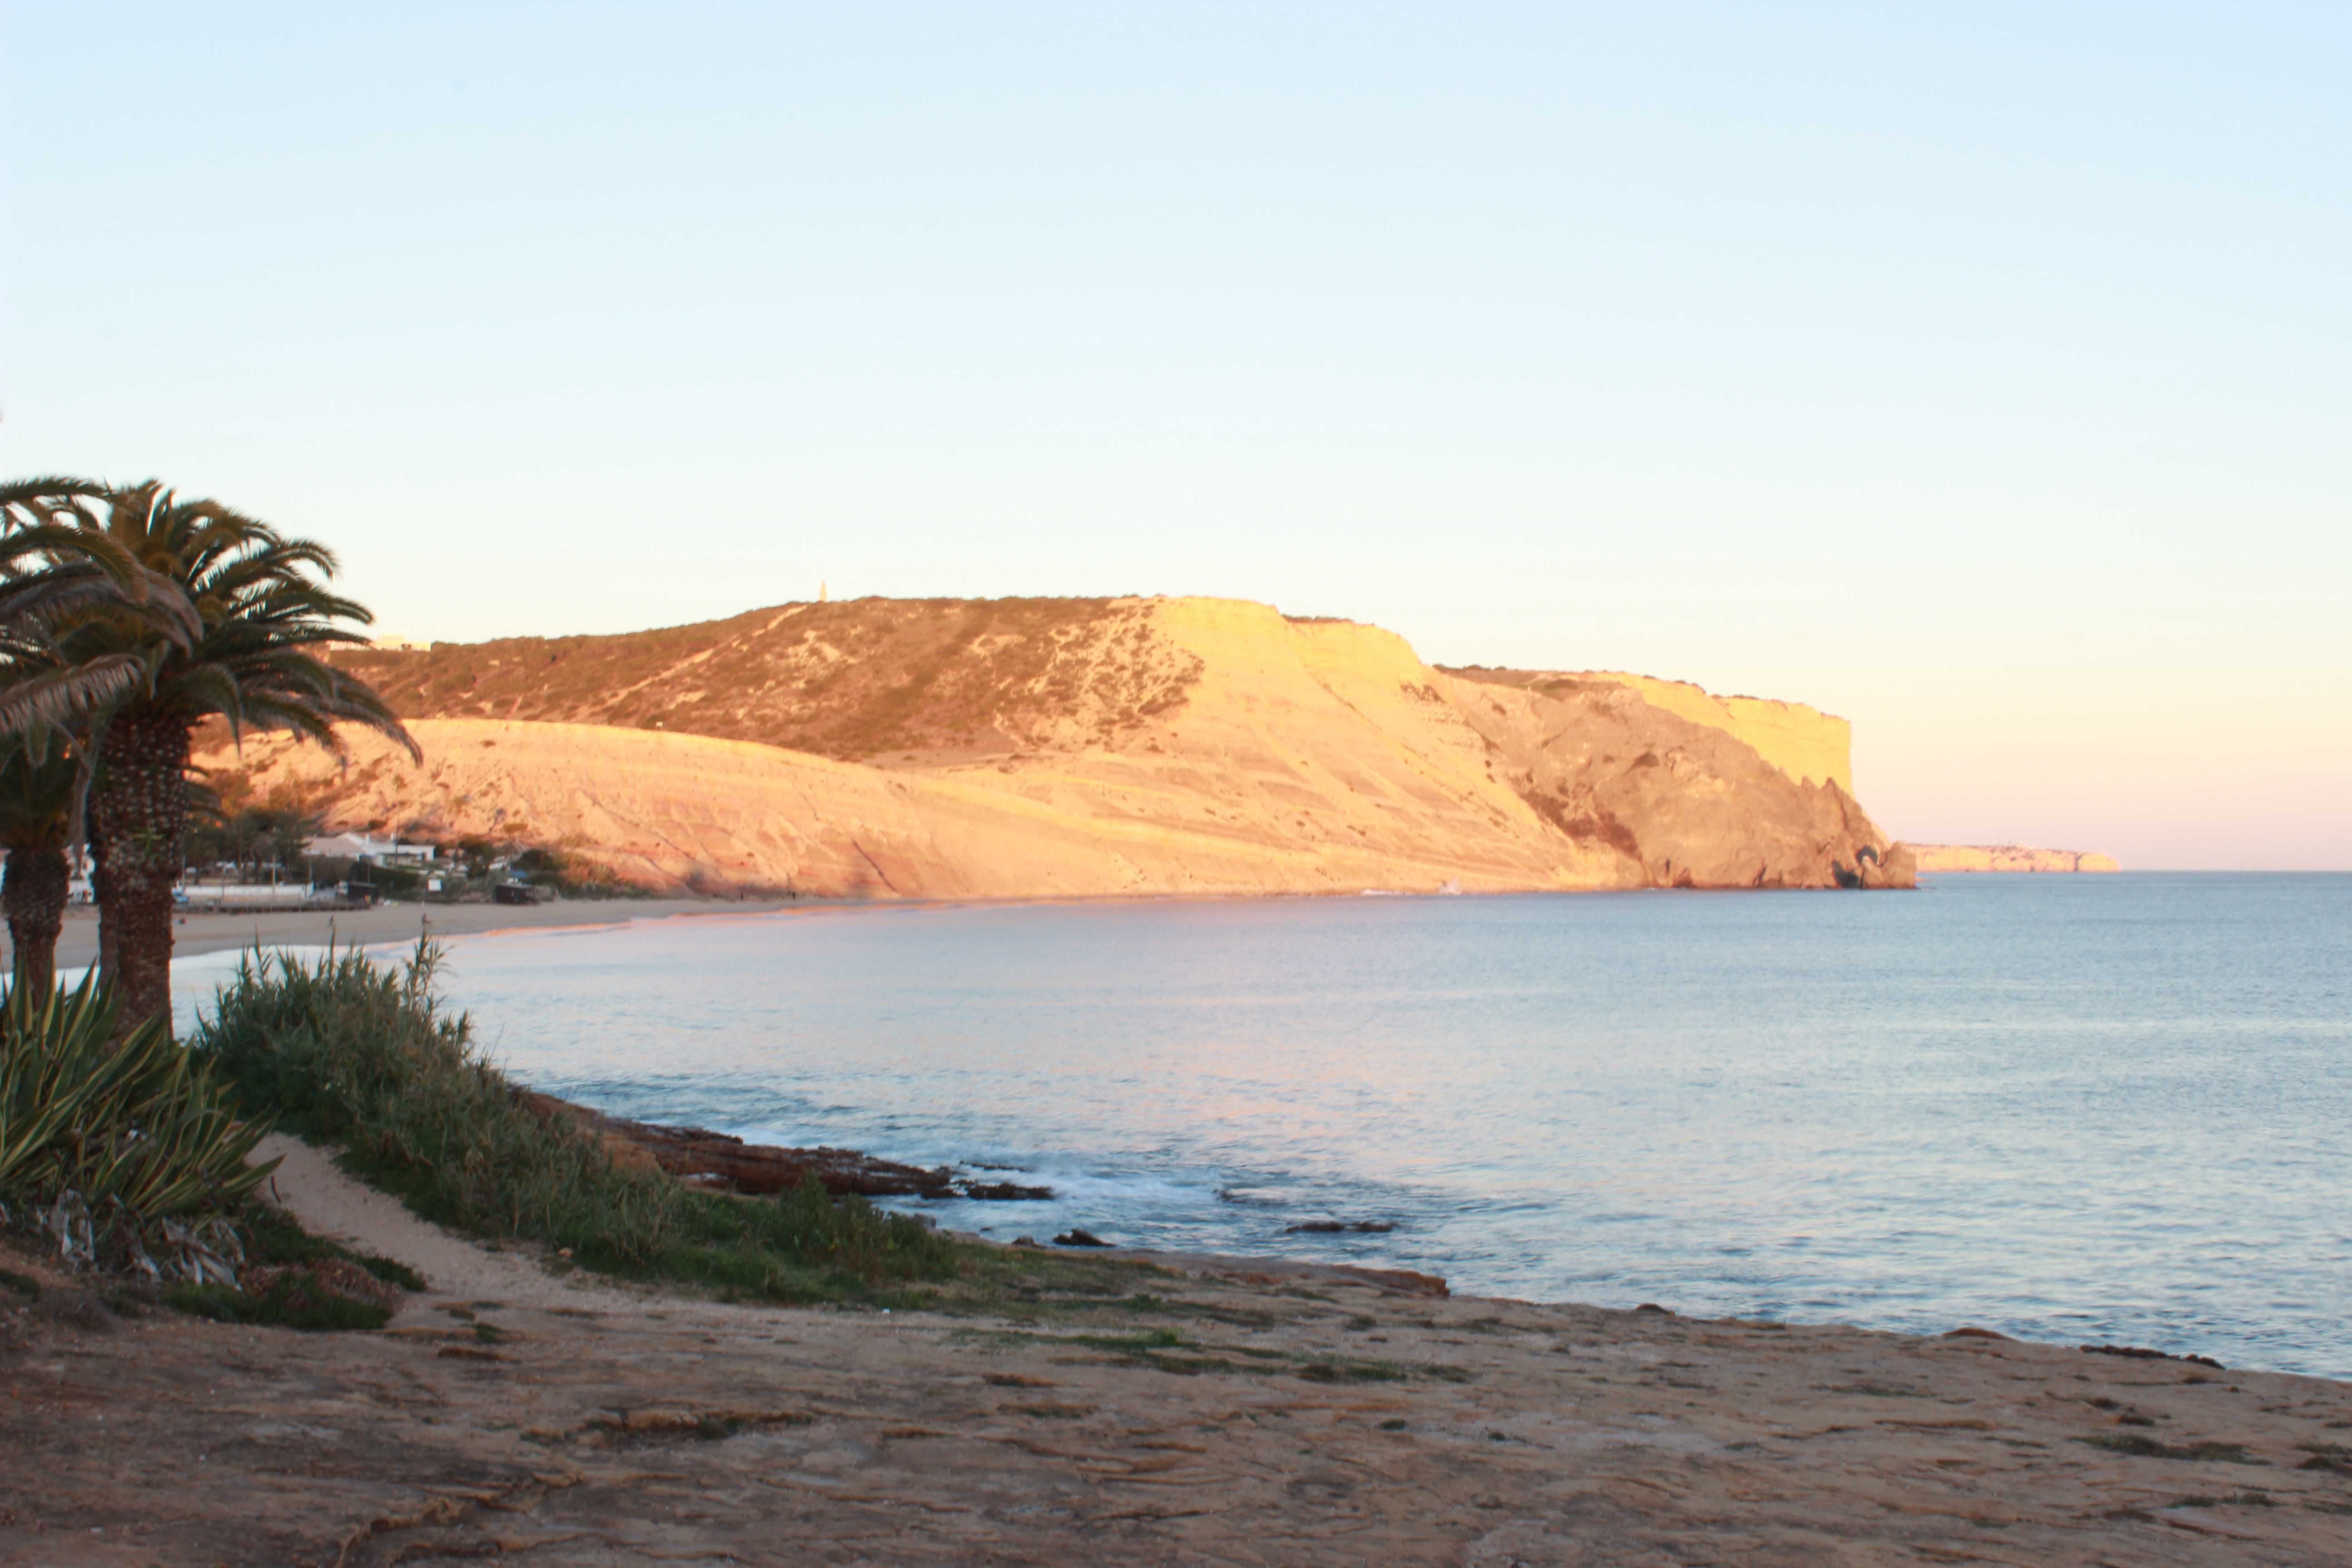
262	615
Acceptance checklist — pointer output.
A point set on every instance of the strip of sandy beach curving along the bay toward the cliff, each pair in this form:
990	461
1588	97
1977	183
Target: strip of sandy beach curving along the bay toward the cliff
399	923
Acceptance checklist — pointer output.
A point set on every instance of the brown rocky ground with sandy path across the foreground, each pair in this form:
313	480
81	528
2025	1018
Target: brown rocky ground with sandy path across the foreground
1203	1414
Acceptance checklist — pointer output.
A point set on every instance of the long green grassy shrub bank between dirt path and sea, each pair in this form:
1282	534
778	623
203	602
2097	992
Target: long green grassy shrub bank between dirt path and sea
361	1054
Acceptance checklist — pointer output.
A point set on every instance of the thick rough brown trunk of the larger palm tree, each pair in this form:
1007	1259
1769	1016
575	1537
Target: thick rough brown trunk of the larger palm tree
140	812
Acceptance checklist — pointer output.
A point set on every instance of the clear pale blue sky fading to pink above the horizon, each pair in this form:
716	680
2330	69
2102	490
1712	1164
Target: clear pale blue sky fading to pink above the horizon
1979	373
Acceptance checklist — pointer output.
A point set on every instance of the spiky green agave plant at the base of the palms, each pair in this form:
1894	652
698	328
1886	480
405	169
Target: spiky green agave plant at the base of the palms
114	1139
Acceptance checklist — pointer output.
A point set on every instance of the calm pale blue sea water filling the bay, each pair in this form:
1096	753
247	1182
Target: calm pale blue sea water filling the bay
2069	1108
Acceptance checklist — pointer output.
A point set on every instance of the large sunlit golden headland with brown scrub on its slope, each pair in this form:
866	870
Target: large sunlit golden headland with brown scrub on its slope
1008	749
